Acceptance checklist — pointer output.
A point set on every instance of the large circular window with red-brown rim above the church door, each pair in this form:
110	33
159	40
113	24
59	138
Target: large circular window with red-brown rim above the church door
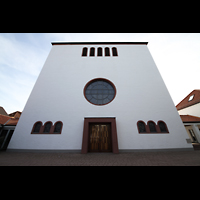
100	91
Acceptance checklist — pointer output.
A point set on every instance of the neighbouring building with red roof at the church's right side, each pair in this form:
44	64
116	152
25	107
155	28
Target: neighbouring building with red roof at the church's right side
189	110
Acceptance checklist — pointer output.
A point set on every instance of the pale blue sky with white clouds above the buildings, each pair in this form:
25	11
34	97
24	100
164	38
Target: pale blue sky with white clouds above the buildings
22	56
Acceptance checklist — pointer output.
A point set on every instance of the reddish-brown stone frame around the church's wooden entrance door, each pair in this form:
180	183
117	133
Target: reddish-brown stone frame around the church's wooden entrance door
85	140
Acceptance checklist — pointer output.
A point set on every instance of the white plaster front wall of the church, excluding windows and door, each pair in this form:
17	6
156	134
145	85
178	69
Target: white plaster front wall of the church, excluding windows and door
58	96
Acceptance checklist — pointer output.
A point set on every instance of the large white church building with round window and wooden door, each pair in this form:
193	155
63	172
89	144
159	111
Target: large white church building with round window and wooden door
99	97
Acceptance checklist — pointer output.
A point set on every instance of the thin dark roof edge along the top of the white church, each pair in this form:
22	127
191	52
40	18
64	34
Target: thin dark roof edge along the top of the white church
80	43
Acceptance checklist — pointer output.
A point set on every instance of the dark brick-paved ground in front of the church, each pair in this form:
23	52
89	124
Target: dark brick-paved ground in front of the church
148	158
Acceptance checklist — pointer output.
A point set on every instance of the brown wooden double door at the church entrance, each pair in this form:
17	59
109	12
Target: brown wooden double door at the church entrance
100	138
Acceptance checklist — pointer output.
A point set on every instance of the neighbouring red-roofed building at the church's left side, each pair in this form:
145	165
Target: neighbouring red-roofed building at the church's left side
7	127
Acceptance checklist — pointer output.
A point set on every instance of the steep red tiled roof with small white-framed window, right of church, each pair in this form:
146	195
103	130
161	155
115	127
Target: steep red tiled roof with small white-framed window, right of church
186	103
